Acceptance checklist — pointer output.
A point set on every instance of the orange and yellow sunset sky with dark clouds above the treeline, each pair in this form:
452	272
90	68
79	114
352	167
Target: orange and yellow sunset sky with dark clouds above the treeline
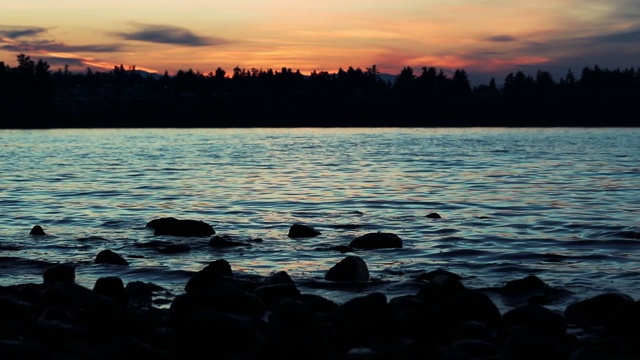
484	37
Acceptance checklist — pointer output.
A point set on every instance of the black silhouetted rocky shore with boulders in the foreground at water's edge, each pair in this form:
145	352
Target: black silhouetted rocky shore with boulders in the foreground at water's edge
224	316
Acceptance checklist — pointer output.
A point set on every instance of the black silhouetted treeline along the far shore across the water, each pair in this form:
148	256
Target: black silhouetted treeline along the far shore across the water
34	96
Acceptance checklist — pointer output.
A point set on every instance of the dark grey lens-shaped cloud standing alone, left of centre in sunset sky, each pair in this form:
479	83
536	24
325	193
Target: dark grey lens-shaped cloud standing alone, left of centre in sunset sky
168	34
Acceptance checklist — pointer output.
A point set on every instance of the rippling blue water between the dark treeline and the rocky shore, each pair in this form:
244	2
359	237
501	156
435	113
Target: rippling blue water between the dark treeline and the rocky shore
562	204
